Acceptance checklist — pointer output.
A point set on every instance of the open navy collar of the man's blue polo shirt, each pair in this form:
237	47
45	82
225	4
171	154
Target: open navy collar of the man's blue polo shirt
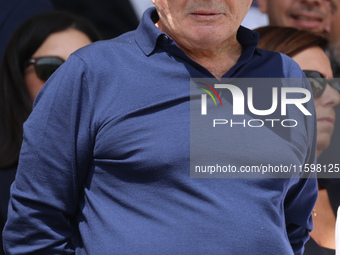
147	35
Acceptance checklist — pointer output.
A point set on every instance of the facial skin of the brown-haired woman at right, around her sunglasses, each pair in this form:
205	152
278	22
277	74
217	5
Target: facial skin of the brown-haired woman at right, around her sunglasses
325	104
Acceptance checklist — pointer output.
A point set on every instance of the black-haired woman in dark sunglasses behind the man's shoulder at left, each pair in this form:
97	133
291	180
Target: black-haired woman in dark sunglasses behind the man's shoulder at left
36	49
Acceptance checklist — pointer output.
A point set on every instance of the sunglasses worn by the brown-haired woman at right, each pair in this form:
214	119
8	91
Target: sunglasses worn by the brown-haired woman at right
318	82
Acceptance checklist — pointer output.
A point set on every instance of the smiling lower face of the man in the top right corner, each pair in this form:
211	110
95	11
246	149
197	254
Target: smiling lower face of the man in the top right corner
312	15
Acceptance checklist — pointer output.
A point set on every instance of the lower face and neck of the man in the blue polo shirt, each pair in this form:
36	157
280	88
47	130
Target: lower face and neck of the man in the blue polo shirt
205	29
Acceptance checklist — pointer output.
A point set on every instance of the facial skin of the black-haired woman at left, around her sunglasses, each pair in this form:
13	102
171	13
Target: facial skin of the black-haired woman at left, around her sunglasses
60	44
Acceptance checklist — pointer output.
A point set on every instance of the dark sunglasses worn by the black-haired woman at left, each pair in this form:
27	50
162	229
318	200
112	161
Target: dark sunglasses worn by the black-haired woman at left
45	66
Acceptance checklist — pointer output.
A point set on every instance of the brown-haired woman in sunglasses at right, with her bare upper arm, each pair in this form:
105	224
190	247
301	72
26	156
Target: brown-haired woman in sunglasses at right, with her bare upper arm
308	51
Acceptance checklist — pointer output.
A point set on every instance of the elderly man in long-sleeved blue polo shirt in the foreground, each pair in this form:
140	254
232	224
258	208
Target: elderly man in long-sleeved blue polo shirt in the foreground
105	162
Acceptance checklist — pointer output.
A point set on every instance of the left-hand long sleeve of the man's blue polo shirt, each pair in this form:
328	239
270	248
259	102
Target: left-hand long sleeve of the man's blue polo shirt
54	159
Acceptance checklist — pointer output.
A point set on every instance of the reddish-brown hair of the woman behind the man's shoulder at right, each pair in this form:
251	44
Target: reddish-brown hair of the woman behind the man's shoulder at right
288	40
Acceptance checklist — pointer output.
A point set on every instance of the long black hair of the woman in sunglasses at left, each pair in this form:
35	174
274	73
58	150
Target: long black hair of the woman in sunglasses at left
15	102
